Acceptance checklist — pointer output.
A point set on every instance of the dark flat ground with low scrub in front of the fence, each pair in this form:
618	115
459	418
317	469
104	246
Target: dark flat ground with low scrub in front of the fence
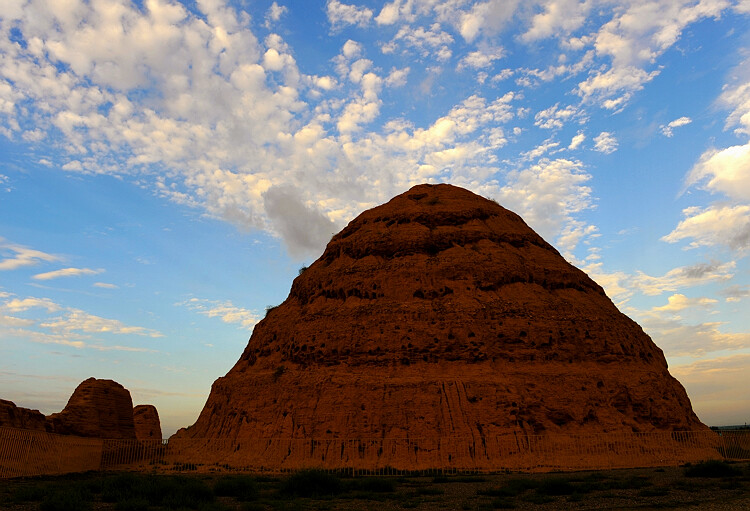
705	486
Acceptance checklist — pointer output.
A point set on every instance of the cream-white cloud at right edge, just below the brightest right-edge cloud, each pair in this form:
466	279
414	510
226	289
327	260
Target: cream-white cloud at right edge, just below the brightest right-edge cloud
714	225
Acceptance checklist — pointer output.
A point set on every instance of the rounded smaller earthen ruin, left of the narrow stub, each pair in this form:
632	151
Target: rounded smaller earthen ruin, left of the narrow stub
97	408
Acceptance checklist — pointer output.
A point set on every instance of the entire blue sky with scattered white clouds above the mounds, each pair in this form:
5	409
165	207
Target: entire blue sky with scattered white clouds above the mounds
166	168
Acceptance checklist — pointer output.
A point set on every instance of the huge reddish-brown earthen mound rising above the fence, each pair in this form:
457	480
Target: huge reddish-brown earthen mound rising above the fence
443	315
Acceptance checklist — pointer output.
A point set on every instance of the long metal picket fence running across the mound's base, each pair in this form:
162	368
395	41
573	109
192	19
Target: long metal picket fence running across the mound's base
30	453
